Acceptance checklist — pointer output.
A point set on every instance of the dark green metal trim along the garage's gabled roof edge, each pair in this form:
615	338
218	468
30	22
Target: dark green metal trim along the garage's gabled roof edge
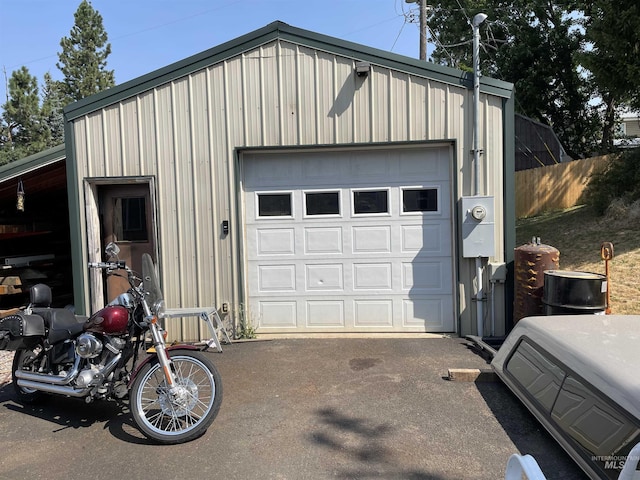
283	31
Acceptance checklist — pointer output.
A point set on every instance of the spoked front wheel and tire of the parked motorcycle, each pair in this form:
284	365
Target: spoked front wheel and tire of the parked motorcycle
181	415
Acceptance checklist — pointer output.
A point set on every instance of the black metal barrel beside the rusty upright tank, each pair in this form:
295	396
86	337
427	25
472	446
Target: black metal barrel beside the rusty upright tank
574	293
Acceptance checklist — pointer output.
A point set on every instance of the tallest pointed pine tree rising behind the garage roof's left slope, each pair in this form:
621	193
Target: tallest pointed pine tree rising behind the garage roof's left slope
83	60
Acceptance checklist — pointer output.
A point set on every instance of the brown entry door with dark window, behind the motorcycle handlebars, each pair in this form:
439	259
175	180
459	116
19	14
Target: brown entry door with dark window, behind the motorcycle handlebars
127	219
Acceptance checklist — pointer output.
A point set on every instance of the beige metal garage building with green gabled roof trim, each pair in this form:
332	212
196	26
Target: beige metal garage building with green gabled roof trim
306	183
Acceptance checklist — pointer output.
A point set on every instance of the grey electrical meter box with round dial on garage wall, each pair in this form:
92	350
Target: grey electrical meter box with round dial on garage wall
478	227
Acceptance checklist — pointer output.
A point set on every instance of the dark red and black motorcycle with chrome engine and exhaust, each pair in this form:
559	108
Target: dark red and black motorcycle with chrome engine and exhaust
174	391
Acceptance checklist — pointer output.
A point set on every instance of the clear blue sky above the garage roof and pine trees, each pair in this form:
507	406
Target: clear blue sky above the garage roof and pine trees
149	34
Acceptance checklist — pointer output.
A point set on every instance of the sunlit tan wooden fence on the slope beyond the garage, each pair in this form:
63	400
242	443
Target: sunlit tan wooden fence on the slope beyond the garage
554	187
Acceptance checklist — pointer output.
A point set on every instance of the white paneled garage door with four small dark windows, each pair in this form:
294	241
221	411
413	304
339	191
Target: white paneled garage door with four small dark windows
349	241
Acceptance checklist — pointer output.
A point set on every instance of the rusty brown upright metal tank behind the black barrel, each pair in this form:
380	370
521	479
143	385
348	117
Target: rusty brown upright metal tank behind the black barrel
530	262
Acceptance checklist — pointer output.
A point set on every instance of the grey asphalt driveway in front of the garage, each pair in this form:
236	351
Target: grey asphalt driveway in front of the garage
301	409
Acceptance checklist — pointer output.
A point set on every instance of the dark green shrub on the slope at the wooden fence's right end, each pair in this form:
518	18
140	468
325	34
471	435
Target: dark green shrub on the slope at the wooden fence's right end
619	181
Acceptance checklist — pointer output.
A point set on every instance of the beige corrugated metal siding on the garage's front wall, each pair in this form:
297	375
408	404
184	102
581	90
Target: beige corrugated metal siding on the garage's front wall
185	133
